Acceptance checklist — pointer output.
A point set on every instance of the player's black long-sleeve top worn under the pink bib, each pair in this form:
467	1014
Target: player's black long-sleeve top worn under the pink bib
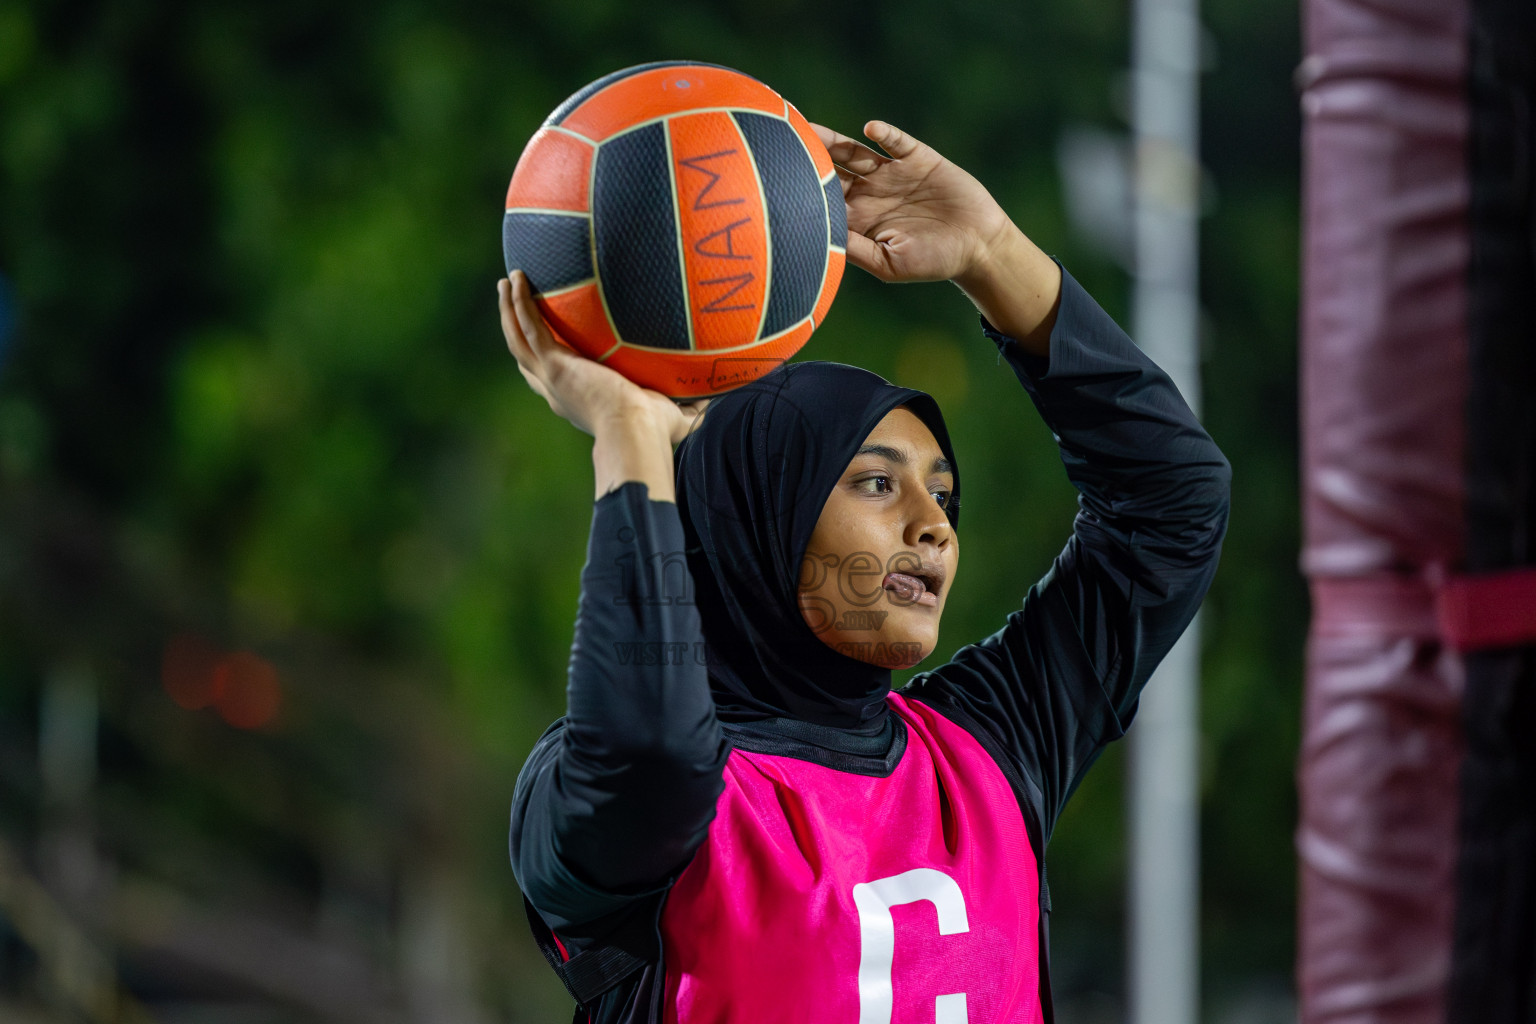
620	793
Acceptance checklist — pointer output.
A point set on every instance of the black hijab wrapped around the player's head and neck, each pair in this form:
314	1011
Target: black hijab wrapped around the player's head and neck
752	483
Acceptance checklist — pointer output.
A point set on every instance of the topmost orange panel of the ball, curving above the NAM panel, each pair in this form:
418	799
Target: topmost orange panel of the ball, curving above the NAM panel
661	91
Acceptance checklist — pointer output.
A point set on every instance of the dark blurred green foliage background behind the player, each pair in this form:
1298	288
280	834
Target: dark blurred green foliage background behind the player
259	394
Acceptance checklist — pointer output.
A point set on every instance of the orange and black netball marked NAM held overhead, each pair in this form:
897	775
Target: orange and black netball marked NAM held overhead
680	223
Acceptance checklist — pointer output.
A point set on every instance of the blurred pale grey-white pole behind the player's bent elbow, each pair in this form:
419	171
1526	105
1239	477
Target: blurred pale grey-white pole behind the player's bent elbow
1165	742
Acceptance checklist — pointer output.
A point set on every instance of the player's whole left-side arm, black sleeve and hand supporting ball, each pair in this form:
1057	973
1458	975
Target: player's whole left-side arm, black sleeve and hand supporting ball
623	790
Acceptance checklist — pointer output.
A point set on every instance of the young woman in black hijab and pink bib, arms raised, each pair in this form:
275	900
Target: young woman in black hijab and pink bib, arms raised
738	821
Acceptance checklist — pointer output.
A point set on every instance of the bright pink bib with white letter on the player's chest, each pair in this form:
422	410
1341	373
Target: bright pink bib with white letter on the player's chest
830	897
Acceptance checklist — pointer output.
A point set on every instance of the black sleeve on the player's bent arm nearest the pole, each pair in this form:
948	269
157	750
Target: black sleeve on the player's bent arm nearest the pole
1064	676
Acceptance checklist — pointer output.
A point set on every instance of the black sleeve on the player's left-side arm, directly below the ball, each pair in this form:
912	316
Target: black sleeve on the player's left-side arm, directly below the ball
624	791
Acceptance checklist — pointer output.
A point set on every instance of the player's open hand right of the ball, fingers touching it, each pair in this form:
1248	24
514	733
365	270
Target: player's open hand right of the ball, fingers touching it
913	216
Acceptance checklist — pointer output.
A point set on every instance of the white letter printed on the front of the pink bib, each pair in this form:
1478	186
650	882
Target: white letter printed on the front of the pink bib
878	937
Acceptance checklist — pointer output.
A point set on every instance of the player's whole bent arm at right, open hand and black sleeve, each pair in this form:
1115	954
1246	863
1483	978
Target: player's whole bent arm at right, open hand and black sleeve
1065	675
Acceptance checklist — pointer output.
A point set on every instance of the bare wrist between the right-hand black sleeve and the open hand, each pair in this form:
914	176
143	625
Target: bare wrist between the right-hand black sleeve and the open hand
1018	289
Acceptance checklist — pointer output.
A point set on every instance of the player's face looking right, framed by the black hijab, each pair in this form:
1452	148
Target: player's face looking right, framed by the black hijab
882	560
